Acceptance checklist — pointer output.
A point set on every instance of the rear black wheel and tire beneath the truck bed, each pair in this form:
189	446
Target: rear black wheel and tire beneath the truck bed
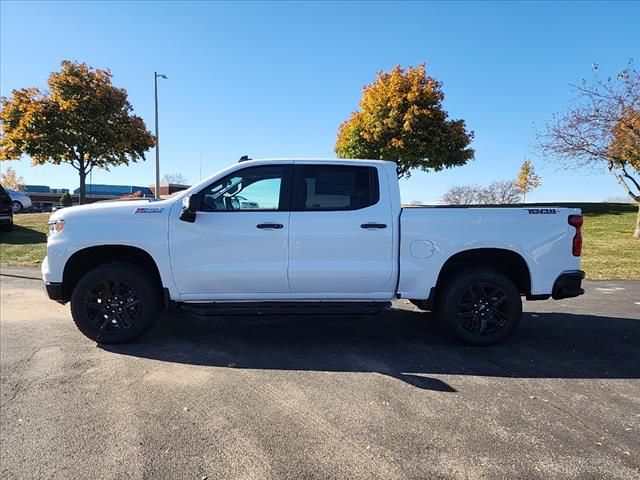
480	306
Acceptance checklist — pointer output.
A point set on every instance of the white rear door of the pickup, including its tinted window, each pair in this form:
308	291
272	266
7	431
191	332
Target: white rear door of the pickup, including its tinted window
341	232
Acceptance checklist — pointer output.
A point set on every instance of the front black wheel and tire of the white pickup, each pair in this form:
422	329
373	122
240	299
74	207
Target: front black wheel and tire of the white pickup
115	303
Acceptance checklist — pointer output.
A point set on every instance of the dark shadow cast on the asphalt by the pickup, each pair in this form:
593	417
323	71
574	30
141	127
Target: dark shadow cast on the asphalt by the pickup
403	344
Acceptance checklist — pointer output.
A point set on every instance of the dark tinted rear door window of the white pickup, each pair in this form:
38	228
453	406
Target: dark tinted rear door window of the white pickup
335	187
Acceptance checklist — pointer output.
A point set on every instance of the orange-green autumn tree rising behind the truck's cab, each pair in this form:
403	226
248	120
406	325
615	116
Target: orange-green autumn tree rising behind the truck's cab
402	118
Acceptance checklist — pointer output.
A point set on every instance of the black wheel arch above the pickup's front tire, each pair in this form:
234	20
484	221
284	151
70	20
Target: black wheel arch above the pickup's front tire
89	258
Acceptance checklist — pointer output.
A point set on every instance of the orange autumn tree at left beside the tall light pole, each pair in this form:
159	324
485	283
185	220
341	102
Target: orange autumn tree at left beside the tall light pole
82	120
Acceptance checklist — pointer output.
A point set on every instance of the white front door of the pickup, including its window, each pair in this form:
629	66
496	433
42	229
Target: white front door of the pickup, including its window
237	248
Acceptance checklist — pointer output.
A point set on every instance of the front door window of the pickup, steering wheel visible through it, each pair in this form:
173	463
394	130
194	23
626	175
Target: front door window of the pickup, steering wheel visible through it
253	188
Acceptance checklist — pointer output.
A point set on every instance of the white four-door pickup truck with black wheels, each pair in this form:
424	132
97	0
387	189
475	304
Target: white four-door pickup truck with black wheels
273	236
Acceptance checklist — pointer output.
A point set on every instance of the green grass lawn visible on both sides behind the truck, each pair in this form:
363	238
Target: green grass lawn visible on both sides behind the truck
609	251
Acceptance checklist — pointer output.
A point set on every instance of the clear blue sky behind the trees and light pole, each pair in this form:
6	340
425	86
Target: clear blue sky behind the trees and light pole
276	79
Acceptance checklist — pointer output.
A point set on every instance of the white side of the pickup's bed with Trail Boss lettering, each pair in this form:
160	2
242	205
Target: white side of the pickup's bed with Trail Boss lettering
432	235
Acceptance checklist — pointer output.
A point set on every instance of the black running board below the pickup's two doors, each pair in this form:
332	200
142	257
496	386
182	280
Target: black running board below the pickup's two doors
285	308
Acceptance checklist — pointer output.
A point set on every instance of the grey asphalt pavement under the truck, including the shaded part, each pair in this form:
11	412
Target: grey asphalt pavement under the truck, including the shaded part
283	397
